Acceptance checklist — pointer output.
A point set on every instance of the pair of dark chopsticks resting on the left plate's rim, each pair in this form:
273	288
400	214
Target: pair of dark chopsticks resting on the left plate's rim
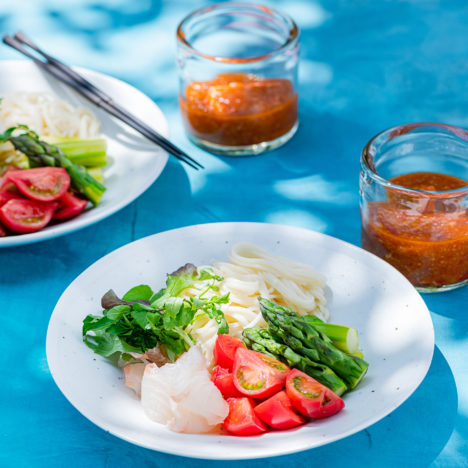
65	74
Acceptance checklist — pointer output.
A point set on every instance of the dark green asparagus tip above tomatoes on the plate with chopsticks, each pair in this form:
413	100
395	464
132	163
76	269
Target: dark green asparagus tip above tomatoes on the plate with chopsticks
41	153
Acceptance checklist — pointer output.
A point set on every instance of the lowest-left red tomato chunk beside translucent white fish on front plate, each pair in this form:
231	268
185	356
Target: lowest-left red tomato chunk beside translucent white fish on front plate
242	419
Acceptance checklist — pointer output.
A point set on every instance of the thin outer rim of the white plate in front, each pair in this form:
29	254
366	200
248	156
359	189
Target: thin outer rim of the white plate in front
250	456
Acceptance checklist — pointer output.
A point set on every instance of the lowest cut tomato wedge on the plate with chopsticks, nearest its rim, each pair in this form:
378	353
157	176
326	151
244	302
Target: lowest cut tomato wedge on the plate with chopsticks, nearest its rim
23	215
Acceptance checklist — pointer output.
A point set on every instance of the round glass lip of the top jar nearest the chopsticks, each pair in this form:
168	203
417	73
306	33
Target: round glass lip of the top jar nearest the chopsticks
291	39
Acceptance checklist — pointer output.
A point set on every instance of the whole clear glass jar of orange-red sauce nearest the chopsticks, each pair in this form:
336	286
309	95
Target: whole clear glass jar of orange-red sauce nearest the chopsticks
238	77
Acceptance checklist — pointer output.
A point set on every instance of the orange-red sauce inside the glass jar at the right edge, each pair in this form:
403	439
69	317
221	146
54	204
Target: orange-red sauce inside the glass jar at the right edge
424	236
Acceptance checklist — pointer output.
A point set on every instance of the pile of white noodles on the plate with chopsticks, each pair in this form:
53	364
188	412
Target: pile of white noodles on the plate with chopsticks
48	115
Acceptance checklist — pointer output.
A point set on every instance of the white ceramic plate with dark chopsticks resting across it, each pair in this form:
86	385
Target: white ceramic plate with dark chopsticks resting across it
134	162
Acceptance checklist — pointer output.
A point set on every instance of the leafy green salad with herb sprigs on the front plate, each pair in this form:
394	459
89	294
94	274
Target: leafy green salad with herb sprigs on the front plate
142	319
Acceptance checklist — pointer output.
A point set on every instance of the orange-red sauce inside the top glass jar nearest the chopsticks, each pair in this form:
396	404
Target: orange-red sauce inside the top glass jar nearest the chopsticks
239	109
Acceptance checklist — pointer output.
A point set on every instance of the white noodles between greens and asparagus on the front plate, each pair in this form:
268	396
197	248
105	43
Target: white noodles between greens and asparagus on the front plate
252	272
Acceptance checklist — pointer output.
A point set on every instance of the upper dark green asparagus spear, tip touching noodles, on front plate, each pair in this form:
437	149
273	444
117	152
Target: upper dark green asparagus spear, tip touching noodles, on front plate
312	343
